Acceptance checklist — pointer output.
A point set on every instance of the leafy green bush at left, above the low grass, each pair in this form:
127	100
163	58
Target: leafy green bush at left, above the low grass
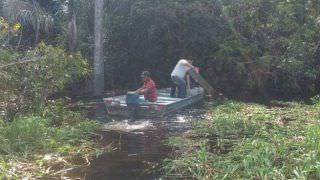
25	87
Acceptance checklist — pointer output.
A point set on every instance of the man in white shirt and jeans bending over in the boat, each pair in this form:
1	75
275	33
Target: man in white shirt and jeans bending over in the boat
178	77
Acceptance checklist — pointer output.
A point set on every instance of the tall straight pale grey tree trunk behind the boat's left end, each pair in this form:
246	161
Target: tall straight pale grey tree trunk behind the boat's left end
98	64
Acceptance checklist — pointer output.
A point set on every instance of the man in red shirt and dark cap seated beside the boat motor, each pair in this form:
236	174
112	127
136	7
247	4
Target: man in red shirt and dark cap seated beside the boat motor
149	89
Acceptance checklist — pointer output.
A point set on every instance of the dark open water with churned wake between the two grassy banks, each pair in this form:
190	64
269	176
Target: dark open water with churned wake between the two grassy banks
138	145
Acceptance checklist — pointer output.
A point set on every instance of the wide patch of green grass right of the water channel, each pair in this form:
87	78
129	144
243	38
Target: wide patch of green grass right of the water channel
250	141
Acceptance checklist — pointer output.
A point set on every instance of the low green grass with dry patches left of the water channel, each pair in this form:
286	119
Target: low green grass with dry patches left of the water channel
47	144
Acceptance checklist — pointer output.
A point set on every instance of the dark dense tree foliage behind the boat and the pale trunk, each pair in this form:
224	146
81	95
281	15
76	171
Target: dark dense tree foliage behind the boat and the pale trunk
261	47
